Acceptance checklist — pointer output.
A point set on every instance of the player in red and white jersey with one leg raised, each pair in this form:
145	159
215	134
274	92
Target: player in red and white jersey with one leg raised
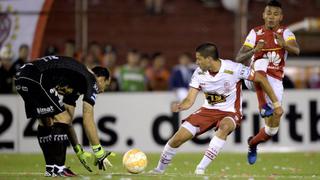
268	46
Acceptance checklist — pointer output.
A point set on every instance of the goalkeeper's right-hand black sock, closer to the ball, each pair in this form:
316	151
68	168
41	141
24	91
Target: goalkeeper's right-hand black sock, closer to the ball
60	142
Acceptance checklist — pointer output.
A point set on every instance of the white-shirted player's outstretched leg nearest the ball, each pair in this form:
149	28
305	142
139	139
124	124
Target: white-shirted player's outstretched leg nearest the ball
169	151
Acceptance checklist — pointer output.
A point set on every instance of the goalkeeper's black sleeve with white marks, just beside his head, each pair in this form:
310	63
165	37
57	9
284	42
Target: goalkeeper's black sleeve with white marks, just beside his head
91	92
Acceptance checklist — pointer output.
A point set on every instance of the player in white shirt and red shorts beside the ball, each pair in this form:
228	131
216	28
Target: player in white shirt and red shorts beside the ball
220	81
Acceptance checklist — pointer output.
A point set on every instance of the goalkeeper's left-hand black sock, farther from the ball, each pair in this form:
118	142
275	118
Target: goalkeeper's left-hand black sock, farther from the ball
45	141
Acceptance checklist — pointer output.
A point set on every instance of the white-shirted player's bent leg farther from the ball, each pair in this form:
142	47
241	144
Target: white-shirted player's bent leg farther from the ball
226	126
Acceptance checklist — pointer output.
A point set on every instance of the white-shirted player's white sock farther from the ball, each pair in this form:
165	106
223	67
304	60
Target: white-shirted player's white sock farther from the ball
211	153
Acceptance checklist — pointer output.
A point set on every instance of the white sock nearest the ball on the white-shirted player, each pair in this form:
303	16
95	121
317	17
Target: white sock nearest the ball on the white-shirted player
166	157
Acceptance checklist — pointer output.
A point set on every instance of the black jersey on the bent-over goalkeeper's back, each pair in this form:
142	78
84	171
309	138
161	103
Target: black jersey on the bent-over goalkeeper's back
69	77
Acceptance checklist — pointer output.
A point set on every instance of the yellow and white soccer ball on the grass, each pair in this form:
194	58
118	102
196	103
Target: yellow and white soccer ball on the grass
135	161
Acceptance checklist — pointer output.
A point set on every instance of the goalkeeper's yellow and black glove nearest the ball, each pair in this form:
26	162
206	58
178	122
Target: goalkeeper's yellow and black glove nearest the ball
101	157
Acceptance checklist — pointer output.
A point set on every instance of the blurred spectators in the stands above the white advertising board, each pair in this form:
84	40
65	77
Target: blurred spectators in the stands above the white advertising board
141	72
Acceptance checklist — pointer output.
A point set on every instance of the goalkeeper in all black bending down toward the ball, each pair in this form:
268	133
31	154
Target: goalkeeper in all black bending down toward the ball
39	84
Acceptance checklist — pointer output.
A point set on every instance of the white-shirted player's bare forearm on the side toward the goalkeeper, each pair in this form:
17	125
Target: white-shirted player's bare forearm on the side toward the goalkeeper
187	102
